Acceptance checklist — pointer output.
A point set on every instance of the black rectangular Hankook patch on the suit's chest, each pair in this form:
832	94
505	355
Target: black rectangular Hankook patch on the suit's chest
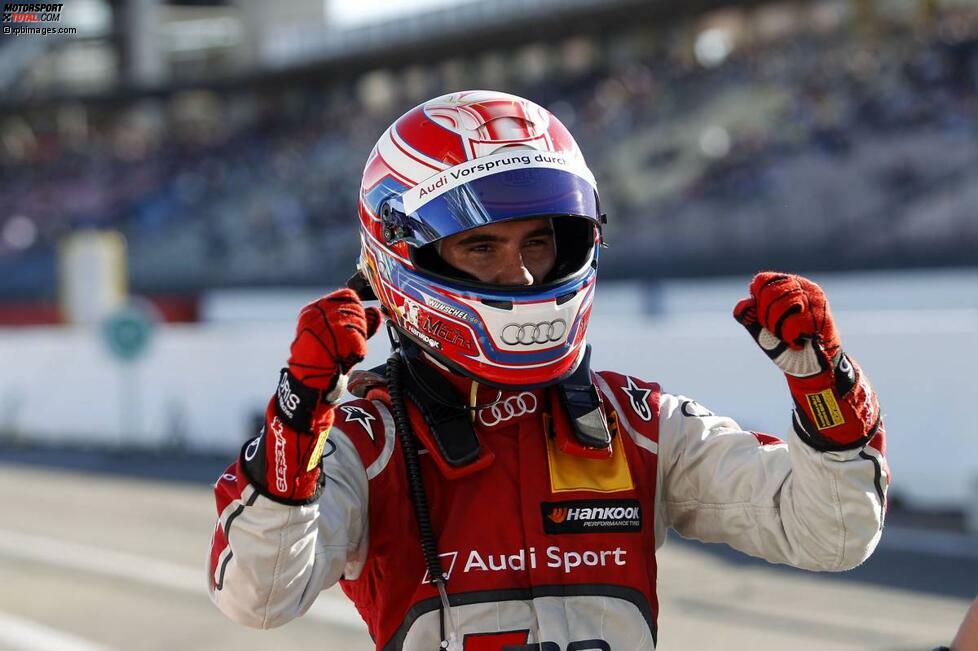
592	516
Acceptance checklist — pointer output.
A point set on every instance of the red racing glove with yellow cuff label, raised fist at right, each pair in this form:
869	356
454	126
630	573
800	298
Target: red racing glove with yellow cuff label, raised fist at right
789	318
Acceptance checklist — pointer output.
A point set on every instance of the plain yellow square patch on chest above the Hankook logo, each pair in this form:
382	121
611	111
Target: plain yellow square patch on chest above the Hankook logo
572	473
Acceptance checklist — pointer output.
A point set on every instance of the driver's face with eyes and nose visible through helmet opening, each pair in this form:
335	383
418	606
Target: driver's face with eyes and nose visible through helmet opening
508	253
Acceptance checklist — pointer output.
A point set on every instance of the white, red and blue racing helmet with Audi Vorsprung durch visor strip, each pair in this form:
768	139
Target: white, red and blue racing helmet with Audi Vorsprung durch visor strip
456	163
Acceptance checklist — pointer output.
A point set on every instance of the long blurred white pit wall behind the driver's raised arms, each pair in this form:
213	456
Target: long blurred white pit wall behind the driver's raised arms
202	386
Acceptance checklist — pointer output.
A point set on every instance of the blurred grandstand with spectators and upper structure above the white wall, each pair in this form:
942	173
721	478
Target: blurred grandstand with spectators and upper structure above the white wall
809	136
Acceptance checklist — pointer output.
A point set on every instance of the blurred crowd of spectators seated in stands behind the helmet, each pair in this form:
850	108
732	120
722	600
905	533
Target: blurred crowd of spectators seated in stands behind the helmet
840	149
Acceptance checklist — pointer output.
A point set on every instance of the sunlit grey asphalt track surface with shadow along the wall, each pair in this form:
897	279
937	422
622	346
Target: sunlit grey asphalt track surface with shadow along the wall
92	559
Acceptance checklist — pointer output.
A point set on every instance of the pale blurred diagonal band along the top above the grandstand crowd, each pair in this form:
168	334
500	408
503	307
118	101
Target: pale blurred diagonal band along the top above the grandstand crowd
465	29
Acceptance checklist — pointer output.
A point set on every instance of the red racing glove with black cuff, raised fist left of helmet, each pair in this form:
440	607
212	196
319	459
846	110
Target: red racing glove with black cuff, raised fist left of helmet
283	461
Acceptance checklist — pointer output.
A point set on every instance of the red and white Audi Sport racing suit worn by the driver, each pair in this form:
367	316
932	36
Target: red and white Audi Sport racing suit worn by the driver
542	547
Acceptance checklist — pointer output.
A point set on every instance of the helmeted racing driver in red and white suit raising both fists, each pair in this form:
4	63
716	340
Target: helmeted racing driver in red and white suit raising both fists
488	490
